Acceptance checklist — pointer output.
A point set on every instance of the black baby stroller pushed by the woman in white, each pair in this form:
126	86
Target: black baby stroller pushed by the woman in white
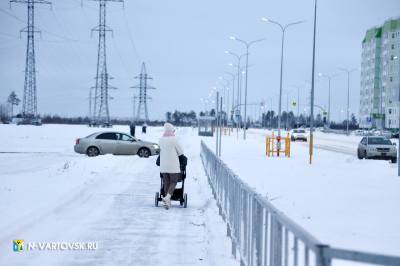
179	193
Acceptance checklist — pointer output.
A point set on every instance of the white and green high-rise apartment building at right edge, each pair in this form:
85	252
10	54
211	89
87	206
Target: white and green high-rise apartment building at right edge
380	76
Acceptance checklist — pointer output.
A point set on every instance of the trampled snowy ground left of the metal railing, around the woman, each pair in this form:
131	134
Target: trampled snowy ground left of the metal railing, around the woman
49	193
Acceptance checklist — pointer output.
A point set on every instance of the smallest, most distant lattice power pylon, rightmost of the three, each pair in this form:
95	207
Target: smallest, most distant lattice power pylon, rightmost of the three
142	114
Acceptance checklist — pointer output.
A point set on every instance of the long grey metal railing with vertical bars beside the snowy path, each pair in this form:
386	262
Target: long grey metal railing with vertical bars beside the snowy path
261	234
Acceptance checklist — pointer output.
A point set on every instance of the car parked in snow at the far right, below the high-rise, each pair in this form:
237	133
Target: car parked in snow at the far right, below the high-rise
372	147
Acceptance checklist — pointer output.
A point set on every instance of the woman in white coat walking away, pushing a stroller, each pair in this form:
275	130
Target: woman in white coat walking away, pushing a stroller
170	150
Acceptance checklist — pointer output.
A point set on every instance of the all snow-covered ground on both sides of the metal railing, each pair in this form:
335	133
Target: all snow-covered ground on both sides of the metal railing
49	193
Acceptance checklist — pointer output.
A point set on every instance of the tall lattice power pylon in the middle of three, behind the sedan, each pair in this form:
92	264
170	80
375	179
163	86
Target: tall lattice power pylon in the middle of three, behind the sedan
101	114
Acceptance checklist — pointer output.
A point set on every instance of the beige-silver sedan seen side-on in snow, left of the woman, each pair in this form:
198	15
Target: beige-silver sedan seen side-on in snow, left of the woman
115	143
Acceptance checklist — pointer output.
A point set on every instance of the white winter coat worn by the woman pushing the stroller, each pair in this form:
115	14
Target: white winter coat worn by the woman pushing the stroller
170	150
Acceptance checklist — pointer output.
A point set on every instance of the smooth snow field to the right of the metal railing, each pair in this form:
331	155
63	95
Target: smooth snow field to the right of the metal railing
343	201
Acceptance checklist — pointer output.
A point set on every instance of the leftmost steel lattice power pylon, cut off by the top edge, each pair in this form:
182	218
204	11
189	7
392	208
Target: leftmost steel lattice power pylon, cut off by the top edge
29	101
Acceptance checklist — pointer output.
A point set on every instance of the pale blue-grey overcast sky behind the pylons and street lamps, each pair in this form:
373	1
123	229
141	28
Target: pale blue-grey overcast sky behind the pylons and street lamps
183	43
